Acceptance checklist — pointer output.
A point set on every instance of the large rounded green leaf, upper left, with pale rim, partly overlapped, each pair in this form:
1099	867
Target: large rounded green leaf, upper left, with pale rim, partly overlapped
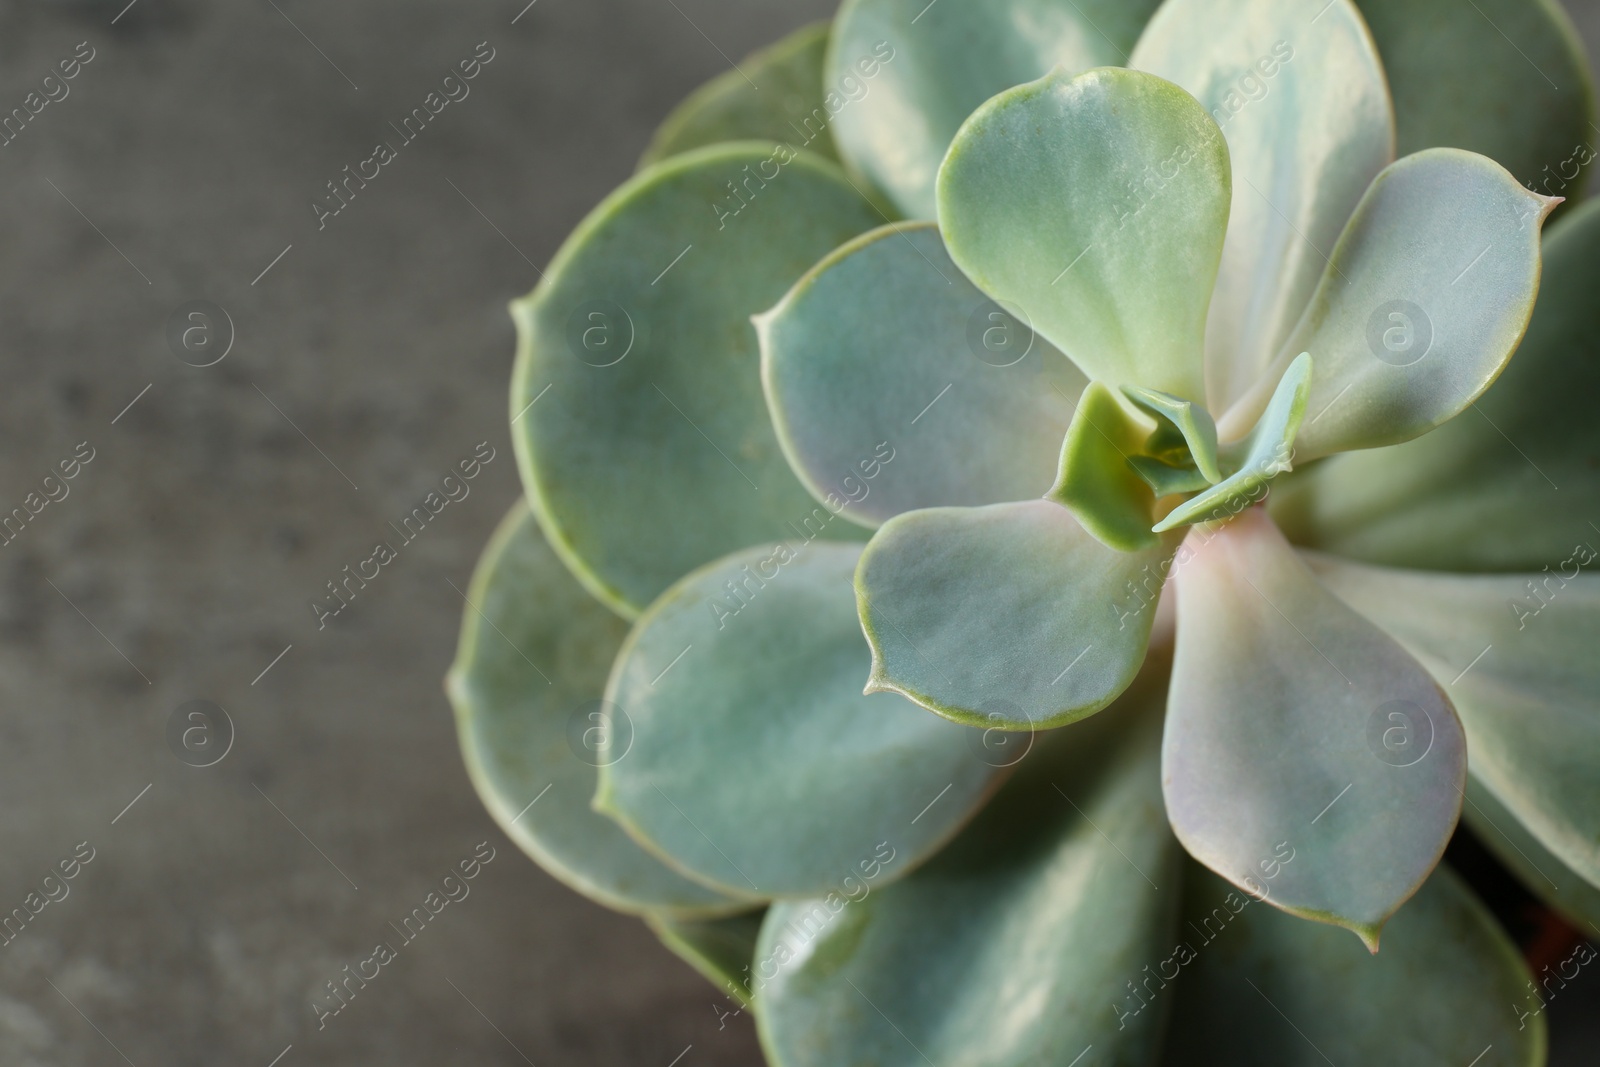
638	406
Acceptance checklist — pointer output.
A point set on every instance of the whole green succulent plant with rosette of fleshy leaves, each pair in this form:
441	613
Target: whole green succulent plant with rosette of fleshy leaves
993	450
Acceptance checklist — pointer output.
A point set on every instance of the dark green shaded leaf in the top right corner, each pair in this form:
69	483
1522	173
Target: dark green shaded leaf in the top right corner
1503	78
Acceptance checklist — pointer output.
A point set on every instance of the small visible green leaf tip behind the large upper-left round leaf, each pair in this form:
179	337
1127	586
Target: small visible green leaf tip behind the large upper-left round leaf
772	95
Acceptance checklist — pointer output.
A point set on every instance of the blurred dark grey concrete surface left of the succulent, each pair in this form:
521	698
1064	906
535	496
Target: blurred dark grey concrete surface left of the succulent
180	565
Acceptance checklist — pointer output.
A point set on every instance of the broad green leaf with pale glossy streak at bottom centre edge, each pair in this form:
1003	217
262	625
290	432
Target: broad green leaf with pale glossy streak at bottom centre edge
1007	949
